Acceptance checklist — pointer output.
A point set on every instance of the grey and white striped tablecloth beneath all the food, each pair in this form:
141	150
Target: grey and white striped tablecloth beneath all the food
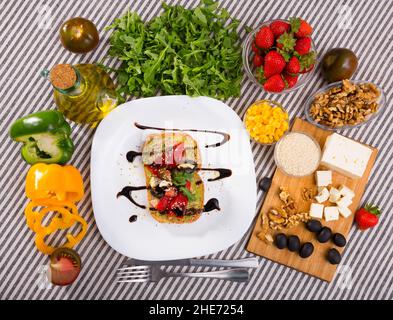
29	42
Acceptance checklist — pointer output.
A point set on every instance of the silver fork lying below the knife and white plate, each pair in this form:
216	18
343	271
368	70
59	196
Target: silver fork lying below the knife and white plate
155	274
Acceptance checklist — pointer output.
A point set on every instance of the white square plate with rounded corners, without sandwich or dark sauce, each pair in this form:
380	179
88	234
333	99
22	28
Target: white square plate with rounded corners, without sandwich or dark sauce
110	172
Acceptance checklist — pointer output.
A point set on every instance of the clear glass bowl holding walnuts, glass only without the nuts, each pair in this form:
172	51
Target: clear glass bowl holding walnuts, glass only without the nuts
381	107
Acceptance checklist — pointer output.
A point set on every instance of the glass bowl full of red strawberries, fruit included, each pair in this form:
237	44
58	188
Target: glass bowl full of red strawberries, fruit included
279	55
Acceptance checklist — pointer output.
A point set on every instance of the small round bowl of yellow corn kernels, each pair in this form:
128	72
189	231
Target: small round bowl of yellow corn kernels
266	121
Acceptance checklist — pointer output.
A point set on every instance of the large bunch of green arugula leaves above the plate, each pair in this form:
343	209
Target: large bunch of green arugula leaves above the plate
182	51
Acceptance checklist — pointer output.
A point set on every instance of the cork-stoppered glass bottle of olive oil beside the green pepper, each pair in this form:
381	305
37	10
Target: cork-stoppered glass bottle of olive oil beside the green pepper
84	93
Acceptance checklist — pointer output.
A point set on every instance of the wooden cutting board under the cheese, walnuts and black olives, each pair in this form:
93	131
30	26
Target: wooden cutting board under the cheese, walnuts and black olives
316	265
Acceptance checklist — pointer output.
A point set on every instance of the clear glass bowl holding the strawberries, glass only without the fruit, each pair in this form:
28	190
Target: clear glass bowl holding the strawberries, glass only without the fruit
248	55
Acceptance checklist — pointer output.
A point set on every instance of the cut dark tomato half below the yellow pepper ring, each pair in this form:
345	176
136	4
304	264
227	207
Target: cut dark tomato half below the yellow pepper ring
65	265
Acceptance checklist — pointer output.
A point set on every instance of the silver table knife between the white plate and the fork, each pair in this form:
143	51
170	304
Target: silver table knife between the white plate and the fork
239	263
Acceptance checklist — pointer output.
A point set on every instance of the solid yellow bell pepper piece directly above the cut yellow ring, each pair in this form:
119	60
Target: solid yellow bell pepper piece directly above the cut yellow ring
54	182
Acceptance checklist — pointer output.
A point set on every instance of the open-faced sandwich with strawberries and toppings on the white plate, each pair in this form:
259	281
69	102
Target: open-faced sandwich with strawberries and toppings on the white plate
174	188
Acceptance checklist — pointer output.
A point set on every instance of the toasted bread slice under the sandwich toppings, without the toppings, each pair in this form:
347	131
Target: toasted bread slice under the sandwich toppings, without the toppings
154	146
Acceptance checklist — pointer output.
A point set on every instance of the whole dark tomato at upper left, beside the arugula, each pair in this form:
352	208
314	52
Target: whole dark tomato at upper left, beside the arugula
79	35
